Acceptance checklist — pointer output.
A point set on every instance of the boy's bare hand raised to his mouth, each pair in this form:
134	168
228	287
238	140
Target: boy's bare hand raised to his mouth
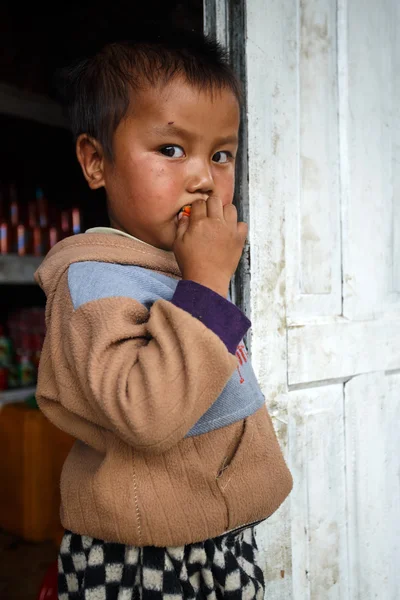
209	243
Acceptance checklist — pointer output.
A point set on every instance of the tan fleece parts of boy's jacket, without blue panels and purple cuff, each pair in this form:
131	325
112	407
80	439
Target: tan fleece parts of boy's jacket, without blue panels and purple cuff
128	383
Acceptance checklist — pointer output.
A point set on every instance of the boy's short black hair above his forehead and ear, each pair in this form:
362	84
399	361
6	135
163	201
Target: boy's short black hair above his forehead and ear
97	90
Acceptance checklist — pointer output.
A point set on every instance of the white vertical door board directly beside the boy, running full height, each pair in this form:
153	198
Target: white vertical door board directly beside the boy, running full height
272	134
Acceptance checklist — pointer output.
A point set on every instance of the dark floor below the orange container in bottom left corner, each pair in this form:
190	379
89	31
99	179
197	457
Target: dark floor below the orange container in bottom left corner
22	566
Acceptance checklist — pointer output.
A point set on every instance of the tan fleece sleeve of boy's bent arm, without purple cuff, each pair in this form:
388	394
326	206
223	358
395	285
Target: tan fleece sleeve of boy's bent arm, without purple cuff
148	375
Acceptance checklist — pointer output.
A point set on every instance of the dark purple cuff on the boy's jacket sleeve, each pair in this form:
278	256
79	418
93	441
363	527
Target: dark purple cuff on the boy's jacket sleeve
217	313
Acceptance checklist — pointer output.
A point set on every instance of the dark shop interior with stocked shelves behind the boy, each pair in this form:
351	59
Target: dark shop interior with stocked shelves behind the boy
43	198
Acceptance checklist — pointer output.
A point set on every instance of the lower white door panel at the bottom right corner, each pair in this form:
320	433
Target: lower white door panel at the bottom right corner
373	466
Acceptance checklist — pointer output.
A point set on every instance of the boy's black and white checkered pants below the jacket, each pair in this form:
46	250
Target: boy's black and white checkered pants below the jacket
224	567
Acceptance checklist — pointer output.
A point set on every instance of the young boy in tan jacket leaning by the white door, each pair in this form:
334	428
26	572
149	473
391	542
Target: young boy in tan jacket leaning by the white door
175	458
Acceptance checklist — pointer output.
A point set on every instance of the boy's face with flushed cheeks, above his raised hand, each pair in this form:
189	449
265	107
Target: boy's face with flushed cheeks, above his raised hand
176	145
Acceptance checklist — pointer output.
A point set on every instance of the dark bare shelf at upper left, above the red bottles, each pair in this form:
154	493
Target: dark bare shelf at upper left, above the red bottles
19	103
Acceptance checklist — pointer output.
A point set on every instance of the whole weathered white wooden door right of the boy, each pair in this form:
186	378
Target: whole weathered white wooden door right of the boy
323	96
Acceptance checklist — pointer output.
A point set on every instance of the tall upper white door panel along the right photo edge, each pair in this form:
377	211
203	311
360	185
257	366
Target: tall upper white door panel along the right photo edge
372	135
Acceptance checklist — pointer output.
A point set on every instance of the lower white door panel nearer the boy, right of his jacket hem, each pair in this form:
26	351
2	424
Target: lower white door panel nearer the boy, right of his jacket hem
317	458
